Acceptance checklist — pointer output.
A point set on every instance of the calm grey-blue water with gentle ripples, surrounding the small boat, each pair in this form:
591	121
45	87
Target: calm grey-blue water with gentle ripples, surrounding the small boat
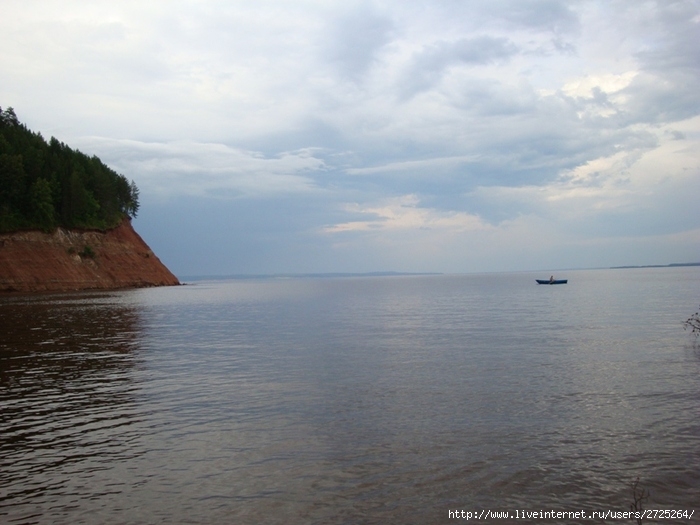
355	400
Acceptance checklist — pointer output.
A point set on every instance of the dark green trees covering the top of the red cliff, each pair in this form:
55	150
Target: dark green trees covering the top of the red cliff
47	185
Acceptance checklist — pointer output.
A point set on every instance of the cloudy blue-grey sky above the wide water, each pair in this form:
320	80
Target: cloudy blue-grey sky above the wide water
312	136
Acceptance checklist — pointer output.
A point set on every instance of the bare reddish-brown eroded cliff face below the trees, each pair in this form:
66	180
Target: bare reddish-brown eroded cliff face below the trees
79	260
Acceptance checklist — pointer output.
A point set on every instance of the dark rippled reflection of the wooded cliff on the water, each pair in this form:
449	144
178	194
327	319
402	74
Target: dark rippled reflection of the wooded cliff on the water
67	401
